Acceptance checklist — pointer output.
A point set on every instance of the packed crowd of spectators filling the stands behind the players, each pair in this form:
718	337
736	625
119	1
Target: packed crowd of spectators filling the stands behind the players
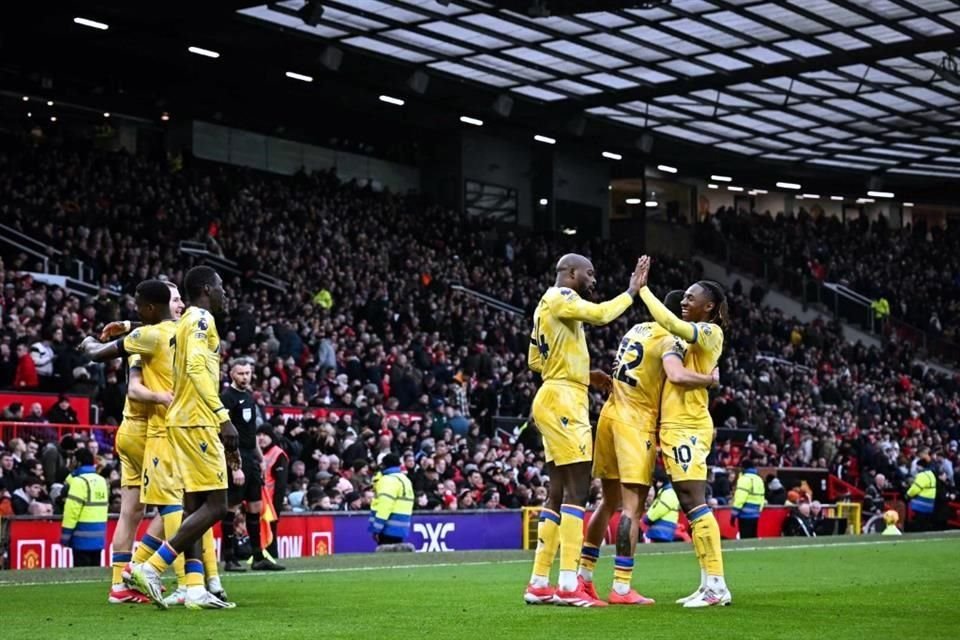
372	342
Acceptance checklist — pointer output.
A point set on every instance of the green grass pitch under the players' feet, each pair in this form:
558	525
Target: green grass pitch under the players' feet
836	588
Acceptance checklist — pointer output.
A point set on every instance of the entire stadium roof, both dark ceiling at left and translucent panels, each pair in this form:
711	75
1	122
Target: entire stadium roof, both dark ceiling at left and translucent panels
833	93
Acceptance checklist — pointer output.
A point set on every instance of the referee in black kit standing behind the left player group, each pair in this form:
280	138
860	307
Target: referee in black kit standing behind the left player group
245	484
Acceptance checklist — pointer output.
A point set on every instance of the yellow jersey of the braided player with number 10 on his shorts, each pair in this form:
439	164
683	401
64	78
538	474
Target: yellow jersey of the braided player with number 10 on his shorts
690	407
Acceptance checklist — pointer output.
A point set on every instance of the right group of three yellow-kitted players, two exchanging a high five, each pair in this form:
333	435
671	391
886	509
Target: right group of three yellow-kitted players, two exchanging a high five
657	394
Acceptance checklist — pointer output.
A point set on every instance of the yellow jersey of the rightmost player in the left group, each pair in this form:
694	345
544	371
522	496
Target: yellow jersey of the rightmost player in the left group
196	372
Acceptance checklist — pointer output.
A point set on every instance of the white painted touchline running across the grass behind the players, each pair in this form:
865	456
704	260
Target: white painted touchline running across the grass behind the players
519	561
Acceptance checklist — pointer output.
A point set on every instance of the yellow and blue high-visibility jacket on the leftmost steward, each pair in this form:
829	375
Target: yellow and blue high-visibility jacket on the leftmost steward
84	526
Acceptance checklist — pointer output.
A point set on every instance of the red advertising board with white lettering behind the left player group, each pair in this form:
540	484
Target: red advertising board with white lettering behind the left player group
35	543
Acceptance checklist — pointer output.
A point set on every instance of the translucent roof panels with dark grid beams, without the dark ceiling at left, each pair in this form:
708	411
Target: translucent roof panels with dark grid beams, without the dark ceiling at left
829	83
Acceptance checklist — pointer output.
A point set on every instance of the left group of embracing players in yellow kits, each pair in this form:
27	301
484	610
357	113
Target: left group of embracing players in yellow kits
174	443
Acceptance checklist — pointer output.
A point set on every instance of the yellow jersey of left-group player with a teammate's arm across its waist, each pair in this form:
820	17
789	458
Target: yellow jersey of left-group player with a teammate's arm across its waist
152	344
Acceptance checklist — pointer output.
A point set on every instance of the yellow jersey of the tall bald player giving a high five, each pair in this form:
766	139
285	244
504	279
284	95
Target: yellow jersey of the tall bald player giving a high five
558	345
